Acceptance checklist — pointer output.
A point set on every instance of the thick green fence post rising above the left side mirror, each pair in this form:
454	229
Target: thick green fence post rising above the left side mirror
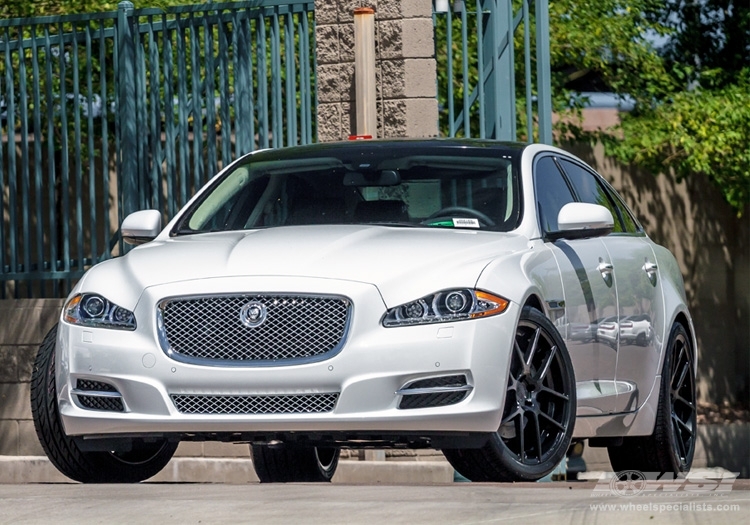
127	164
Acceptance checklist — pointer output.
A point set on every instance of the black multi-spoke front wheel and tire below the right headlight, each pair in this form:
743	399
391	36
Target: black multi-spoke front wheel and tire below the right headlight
539	414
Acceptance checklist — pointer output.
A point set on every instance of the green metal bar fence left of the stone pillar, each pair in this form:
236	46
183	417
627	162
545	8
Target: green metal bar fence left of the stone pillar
104	114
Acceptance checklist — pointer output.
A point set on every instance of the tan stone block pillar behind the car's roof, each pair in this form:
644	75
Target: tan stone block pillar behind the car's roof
405	68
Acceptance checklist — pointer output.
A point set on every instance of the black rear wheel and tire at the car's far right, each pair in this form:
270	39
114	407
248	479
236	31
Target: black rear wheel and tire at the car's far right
670	448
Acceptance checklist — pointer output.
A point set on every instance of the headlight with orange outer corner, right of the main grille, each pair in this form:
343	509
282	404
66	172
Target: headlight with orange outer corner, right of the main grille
446	306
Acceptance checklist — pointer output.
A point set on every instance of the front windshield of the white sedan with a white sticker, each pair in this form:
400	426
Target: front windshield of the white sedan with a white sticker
438	191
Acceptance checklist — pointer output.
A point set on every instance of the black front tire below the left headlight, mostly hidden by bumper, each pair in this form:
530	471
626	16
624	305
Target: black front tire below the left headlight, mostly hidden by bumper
144	460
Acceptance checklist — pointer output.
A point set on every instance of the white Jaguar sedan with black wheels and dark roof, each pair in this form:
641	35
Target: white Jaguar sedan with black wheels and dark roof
402	293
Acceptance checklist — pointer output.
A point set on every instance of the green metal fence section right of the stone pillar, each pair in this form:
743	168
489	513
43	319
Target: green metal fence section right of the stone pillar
493	79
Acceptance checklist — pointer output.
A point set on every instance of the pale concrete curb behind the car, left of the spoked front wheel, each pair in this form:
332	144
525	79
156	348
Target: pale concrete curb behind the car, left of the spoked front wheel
38	469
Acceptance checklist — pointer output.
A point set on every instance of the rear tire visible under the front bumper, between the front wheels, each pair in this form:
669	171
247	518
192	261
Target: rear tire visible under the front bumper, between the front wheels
284	463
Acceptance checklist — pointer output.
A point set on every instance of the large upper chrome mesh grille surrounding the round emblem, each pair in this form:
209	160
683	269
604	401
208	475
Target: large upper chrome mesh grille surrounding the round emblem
295	327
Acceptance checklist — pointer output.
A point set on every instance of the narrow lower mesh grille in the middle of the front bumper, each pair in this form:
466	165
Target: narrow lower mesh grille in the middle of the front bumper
274	404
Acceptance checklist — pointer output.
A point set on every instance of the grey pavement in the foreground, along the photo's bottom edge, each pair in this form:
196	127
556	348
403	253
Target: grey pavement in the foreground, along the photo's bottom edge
413	504
